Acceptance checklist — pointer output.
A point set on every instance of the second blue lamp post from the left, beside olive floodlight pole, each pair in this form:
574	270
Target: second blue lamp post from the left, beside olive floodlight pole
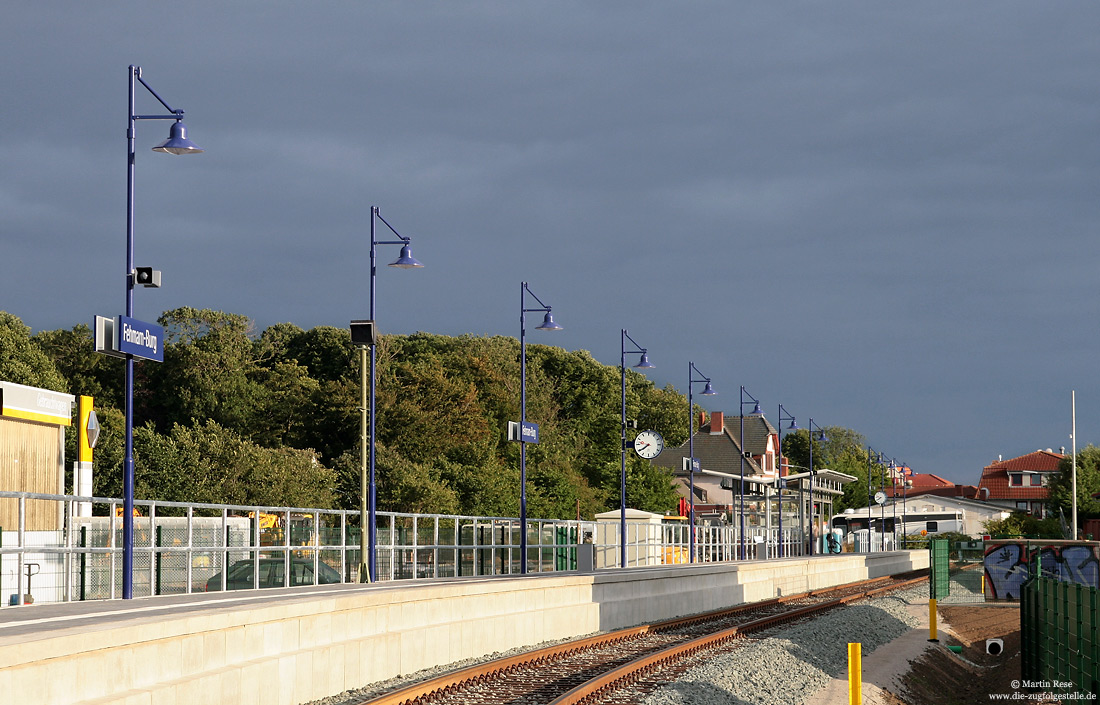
368	567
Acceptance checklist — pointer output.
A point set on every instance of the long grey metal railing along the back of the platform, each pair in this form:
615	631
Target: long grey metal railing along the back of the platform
185	548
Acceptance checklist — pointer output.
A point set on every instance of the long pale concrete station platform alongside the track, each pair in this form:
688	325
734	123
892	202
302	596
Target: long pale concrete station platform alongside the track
293	646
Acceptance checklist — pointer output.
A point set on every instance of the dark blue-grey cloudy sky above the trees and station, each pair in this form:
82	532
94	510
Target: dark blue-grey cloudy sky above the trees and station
884	216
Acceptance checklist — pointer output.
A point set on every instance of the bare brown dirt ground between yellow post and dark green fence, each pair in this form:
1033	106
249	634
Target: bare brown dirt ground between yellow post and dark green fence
942	678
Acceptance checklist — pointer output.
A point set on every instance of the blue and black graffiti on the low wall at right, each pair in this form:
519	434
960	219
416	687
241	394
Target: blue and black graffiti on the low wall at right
1008	567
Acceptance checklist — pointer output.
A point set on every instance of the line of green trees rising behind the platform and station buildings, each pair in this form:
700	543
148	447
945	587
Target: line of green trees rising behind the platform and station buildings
273	418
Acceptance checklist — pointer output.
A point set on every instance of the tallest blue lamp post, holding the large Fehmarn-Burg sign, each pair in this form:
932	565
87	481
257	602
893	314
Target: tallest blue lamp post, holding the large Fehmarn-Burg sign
178	144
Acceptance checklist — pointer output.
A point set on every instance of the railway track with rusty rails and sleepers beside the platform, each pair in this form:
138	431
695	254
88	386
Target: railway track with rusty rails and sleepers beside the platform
591	670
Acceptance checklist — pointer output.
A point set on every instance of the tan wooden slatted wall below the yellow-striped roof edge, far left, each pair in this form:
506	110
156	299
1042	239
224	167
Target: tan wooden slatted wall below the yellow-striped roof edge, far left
31	460
